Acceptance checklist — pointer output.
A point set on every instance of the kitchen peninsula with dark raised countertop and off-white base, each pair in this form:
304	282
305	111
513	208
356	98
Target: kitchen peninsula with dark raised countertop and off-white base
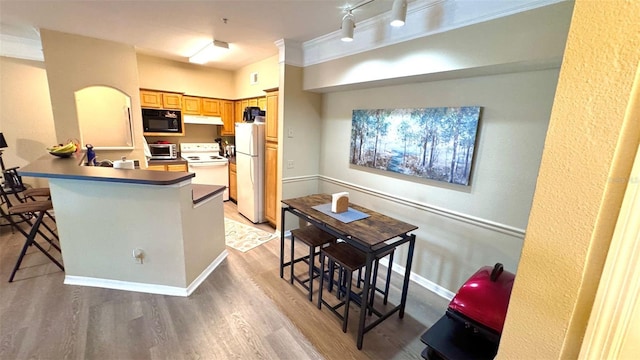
137	230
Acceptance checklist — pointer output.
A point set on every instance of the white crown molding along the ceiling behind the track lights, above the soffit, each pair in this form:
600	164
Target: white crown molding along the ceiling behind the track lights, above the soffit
424	17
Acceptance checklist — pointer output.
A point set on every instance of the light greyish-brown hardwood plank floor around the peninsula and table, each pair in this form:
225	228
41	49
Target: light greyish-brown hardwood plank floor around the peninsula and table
244	310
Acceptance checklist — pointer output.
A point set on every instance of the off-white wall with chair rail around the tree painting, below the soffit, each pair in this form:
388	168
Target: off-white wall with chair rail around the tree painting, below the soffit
461	228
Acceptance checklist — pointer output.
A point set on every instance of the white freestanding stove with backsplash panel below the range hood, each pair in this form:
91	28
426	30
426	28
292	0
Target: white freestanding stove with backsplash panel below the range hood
205	161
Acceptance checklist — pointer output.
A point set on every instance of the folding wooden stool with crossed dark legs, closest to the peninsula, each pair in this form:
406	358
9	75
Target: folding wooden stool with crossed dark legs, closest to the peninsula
33	207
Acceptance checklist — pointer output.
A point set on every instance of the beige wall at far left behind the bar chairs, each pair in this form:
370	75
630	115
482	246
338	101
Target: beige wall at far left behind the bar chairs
26	118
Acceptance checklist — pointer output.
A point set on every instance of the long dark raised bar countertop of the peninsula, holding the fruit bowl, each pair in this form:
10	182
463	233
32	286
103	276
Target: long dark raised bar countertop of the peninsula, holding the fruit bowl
52	167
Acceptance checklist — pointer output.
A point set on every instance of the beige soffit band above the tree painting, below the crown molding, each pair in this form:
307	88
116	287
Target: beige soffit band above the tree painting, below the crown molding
511	43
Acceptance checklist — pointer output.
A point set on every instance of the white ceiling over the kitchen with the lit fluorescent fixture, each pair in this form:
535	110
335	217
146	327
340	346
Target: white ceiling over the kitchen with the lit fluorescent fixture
177	29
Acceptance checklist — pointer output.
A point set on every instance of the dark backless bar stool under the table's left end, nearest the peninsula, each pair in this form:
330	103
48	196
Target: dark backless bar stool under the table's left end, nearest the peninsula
314	238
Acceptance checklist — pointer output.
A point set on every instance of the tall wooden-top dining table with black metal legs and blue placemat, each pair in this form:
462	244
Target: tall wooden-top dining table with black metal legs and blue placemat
374	235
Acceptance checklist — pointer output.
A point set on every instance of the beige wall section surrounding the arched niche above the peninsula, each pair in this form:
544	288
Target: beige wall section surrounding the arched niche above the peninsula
74	62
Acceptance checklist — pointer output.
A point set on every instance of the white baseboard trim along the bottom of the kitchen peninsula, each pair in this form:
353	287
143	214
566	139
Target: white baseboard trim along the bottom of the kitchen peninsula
147	288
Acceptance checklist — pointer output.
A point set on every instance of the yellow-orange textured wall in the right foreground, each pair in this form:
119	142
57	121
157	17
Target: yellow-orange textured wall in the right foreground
585	168
